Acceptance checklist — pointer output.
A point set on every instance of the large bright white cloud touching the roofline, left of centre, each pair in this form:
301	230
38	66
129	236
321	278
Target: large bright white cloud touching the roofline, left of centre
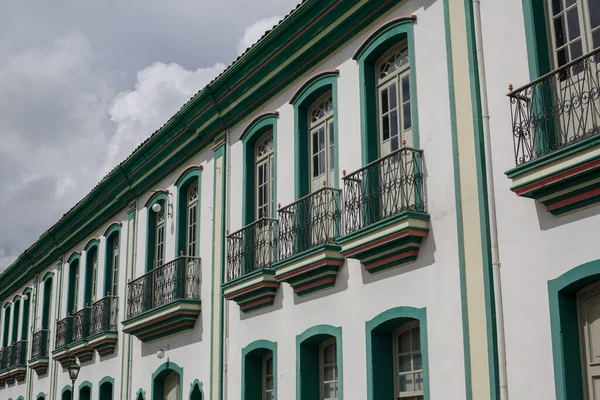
160	91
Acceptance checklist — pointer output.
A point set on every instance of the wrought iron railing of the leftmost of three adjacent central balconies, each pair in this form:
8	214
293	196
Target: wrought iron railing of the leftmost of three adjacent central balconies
251	248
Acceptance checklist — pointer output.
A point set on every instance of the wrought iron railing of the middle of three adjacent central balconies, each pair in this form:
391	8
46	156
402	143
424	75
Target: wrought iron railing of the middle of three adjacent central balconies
312	221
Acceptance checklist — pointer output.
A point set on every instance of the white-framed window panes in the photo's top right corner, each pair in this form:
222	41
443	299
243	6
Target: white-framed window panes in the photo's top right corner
574	27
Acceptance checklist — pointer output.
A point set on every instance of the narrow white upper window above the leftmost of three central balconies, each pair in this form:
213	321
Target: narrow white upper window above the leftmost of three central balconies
264	176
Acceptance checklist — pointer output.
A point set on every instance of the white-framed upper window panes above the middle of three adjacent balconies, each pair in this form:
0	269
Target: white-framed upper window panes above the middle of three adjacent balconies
322	142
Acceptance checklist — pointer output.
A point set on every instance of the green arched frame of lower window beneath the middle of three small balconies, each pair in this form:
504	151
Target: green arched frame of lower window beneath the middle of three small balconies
308	376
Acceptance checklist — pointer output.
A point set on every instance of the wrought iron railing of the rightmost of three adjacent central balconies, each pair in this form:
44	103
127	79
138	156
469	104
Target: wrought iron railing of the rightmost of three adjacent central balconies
384	188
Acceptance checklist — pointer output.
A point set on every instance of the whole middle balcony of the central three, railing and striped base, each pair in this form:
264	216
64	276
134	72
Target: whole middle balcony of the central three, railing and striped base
308	256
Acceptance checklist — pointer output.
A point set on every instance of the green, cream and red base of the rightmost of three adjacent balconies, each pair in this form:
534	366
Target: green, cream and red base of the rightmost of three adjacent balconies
388	243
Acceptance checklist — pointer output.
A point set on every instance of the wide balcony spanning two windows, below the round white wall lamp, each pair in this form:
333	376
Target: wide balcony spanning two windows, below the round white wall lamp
165	300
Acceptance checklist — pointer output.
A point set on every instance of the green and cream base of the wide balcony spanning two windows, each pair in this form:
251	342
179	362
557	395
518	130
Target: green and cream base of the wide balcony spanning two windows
166	320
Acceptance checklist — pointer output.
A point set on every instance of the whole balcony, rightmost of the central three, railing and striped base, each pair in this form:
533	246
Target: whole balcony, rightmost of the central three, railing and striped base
384	211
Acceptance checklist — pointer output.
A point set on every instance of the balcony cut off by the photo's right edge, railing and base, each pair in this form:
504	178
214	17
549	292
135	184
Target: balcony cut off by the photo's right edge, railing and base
556	136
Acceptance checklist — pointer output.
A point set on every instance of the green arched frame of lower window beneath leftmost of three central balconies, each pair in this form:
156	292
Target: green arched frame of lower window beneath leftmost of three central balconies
253	356
